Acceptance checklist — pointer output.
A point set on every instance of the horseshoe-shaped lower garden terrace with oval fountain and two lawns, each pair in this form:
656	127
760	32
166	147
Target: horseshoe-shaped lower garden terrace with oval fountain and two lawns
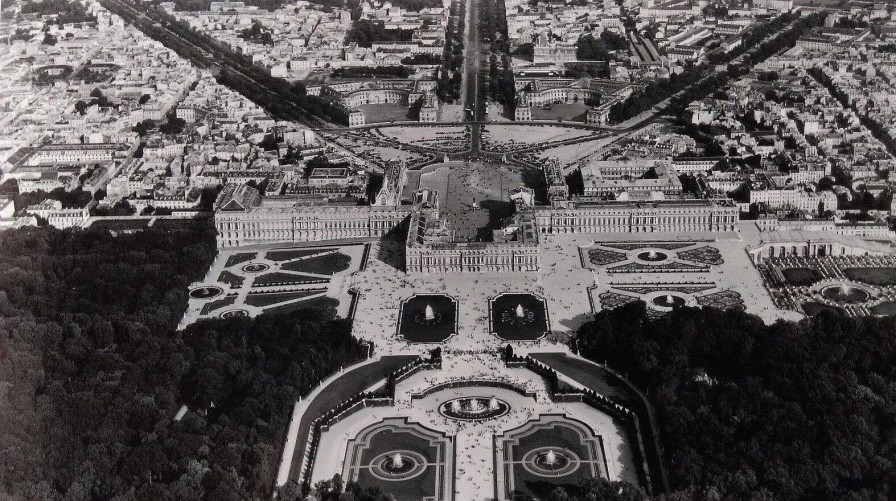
471	425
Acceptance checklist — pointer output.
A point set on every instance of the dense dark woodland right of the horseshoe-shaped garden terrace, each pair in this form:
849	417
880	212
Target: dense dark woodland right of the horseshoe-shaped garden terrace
738	402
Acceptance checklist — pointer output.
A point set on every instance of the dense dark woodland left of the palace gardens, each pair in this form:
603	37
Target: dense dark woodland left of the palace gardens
86	306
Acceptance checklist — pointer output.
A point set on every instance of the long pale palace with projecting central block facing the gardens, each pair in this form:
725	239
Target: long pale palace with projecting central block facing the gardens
242	217
